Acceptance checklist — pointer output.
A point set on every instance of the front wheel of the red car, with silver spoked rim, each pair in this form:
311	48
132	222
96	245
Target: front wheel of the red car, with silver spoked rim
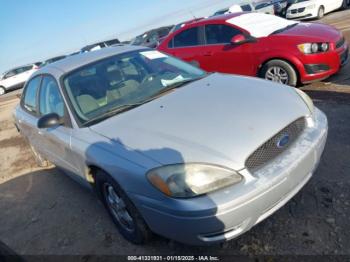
273	68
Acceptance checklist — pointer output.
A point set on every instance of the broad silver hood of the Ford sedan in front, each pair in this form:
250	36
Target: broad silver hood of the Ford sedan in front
220	119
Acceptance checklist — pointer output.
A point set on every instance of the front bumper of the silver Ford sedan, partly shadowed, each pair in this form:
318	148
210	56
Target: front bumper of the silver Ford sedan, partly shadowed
227	213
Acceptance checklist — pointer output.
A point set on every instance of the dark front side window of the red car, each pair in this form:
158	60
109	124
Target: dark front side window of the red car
220	34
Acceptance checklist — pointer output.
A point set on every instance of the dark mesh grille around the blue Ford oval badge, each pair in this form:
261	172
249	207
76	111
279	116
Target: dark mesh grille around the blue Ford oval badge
270	149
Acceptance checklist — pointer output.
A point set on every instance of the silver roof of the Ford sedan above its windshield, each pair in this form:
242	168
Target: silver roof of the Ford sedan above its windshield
73	62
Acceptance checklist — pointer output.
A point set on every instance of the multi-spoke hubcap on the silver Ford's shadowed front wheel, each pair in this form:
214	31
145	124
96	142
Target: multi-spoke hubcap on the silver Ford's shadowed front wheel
118	208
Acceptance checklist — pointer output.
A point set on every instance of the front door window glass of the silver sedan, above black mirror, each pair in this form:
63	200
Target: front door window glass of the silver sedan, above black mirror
50	99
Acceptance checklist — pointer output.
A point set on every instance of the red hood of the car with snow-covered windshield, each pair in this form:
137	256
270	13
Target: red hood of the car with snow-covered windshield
314	32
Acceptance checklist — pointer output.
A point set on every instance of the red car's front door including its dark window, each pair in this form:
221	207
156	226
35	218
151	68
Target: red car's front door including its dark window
222	56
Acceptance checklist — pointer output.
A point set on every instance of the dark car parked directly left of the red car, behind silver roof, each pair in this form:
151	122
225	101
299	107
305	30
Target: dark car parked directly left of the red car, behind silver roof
151	38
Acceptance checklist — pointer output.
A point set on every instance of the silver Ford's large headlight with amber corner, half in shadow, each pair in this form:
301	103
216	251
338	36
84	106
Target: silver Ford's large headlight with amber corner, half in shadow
192	179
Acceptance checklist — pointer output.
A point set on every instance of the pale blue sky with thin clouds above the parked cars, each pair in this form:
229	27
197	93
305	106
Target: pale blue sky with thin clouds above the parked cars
34	30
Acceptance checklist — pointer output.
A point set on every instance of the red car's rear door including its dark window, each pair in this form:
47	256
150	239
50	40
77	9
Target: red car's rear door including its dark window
187	45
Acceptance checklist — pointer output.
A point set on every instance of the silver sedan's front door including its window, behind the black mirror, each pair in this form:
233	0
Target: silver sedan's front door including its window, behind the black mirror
55	141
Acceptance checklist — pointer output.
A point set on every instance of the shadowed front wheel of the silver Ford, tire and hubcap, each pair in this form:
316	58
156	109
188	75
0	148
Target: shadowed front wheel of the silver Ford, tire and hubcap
135	231
